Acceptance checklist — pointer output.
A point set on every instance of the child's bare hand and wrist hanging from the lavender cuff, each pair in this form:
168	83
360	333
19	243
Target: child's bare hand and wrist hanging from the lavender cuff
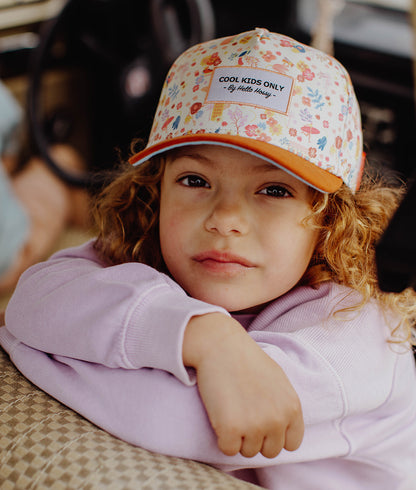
250	402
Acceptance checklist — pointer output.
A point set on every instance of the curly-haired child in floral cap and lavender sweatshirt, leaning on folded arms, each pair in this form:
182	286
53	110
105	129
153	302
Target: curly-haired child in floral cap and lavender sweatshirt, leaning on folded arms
232	278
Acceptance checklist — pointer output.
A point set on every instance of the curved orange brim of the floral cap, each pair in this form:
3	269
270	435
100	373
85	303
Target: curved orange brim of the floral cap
304	170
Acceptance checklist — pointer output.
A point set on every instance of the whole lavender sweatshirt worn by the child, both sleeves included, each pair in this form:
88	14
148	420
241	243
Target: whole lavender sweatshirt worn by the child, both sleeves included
107	342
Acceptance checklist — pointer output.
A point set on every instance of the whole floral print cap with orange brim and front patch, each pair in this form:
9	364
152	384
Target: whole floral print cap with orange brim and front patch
269	95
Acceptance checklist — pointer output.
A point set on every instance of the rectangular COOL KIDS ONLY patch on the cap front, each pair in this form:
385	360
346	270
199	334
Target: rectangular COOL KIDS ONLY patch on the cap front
252	86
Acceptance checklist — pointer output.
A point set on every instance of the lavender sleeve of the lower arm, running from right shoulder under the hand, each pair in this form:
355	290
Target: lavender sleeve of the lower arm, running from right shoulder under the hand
152	409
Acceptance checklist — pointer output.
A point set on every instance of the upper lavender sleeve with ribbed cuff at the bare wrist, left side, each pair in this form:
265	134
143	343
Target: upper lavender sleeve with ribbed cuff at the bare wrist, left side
125	316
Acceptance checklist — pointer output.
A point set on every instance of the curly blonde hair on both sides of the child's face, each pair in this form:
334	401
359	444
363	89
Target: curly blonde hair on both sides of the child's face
349	224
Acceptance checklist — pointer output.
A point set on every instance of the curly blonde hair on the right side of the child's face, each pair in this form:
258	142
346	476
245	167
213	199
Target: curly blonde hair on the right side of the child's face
350	226
